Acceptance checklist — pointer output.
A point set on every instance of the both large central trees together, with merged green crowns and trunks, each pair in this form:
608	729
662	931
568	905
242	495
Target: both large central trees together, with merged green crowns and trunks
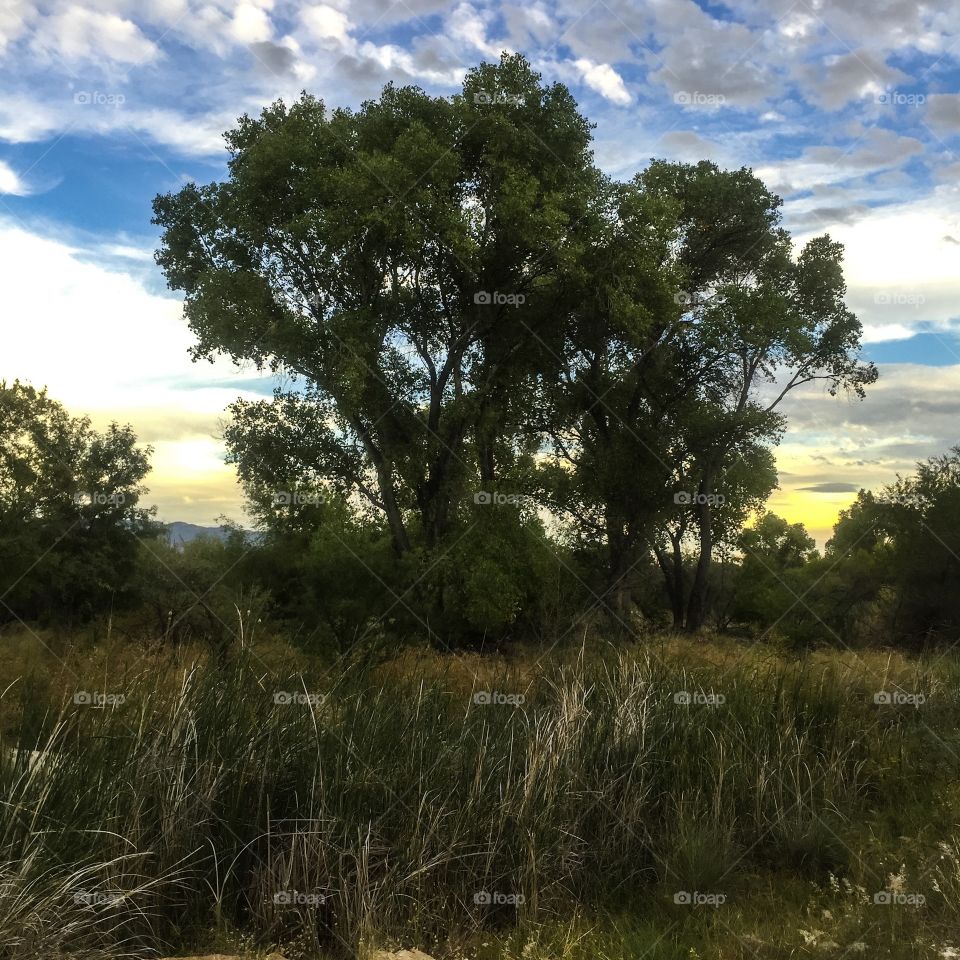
460	295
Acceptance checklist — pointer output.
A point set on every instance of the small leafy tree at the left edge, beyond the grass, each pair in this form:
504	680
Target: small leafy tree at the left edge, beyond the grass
70	517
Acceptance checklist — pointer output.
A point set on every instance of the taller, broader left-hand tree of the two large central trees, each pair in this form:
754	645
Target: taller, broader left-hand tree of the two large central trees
403	262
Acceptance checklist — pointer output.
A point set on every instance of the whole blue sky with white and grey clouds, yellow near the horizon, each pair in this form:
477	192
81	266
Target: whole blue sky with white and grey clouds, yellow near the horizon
848	110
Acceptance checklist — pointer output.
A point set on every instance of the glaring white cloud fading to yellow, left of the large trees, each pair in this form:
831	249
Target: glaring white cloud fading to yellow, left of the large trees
106	347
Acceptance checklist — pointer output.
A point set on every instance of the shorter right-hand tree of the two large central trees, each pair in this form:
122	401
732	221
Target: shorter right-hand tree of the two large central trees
673	373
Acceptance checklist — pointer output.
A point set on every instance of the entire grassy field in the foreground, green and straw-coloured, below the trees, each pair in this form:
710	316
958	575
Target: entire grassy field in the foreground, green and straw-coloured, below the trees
668	800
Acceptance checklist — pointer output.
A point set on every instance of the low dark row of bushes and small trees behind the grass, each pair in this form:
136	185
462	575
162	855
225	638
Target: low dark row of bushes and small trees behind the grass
78	546
